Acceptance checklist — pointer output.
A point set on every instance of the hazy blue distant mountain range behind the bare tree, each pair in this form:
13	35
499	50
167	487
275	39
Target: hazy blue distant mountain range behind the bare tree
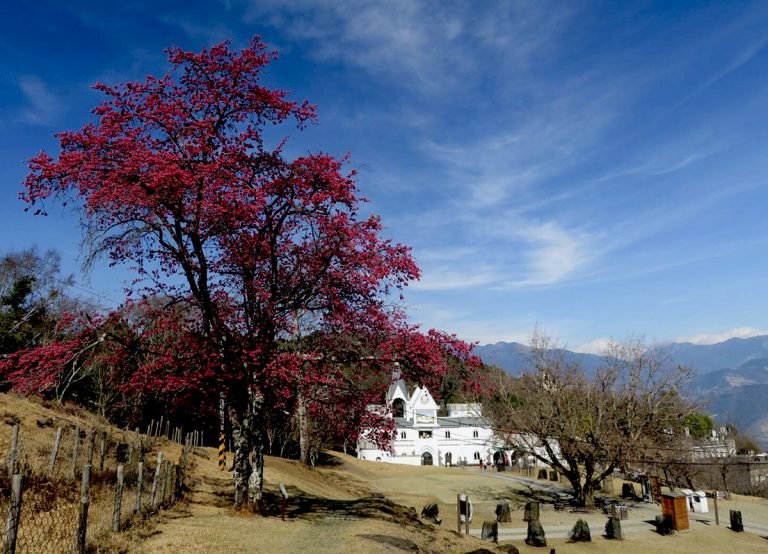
731	377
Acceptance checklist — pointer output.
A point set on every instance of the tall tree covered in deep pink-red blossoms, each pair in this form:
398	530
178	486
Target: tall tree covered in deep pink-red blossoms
174	177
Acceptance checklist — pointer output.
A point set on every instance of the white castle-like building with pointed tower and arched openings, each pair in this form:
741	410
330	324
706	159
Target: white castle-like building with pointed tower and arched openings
425	438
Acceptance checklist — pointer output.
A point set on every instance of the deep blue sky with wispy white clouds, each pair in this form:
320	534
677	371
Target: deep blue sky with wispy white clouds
596	169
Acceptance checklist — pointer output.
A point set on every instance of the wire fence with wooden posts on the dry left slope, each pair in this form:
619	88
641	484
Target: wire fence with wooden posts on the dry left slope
70	494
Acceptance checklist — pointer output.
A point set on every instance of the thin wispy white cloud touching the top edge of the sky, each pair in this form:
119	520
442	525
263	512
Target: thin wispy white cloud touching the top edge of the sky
426	45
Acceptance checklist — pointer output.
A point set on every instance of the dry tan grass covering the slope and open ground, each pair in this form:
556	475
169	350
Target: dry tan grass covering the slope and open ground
350	505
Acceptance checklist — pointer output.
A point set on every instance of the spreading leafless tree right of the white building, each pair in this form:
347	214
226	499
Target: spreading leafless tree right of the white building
585	427
